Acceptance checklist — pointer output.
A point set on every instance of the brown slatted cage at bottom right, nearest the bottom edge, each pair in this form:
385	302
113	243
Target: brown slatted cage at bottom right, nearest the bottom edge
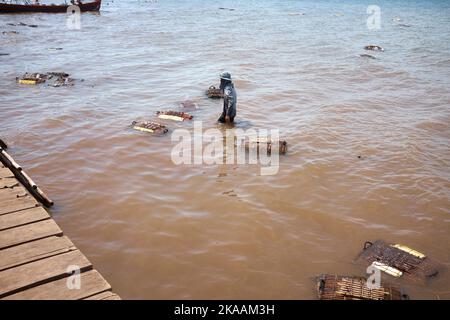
335	287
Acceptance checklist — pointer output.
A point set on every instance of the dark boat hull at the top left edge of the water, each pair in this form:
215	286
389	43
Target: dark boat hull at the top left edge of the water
22	8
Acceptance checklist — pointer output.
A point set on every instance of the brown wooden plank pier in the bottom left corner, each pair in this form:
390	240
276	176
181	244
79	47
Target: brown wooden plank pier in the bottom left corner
36	259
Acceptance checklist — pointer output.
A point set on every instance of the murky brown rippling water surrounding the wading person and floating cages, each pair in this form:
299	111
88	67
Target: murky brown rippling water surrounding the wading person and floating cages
160	231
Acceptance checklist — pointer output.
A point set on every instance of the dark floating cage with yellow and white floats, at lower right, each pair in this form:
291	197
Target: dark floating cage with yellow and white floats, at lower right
398	261
